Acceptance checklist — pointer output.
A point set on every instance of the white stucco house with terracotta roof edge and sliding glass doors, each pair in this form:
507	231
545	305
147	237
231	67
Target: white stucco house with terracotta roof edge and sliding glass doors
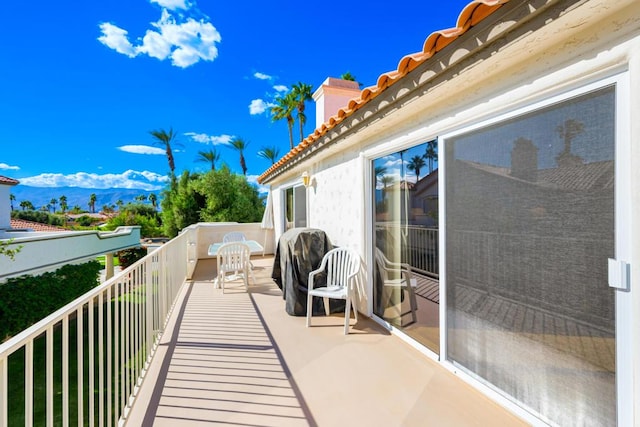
533	104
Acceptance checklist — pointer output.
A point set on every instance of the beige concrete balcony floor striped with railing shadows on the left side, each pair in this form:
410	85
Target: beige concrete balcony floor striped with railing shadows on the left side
237	359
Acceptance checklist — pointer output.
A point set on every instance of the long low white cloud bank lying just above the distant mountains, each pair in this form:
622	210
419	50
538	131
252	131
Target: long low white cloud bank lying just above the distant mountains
145	180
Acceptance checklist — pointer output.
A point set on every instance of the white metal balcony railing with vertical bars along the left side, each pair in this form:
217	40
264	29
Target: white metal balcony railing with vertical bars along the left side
83	364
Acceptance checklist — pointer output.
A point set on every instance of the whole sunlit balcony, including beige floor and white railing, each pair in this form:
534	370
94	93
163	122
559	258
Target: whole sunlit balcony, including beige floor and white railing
161	350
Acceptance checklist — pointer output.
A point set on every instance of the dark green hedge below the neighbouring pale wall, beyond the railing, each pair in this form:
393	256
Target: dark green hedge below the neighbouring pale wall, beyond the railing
27	299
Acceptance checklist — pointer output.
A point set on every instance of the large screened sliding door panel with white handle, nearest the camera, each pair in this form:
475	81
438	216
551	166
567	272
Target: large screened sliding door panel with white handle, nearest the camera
529	214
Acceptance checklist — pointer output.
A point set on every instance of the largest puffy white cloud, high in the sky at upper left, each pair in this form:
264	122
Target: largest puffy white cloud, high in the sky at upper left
183	39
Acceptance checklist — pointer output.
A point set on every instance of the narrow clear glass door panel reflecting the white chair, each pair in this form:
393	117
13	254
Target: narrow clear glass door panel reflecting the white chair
407	288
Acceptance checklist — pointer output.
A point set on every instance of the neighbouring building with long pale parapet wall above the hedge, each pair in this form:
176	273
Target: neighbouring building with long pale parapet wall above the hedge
46	248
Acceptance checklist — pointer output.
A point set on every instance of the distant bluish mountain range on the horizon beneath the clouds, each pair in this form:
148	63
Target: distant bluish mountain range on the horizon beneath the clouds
41	196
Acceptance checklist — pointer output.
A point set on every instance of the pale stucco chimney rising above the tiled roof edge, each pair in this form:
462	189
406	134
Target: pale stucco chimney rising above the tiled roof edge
332	95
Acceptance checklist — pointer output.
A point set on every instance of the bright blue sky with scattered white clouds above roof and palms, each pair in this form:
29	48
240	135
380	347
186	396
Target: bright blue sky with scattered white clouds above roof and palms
83	83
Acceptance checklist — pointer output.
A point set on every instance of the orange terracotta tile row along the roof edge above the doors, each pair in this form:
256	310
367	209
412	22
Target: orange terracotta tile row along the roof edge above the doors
472	14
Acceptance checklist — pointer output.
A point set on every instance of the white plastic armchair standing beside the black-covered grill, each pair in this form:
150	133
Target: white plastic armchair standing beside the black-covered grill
341	266
